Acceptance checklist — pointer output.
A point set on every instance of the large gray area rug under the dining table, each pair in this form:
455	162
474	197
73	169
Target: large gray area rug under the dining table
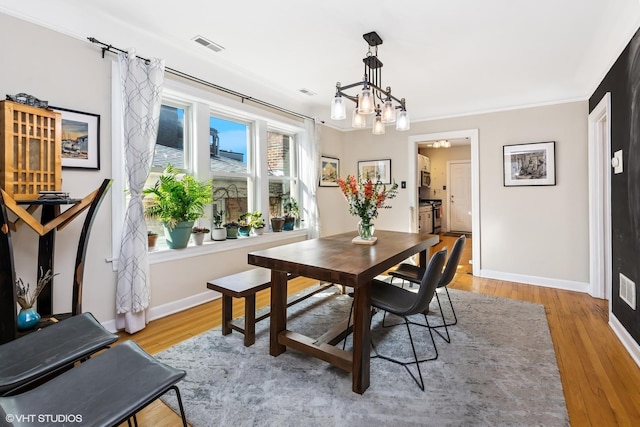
500	369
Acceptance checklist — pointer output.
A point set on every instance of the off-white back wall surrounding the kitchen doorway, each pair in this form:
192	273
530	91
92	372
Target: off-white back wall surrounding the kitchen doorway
529	234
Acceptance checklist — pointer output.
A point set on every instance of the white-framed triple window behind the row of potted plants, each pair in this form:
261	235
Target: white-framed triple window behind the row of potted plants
252	160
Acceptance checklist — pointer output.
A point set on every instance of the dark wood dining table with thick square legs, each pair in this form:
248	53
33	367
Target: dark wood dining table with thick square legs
336	259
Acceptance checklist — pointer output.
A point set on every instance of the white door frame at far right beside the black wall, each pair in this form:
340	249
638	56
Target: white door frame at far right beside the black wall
600	263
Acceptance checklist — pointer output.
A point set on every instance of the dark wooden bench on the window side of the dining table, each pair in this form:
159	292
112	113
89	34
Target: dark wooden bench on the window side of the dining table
245	285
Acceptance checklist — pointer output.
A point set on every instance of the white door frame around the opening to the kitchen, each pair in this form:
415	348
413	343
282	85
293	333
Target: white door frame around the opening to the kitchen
412	184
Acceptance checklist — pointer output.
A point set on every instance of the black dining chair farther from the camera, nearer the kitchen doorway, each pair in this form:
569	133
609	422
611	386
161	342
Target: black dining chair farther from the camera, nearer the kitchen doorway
413	274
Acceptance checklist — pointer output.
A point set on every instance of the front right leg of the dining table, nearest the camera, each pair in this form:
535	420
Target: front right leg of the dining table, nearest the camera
361	338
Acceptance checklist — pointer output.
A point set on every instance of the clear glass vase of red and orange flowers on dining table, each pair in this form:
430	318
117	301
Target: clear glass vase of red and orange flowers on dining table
365	197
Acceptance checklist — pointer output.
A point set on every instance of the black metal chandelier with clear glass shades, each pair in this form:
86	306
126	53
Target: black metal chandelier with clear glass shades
372	98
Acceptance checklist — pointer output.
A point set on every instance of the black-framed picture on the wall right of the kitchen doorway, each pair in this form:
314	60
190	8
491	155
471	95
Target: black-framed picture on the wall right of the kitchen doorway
530	164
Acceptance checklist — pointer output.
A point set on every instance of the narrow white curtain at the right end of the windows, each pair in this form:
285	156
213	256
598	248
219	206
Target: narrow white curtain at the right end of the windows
310	161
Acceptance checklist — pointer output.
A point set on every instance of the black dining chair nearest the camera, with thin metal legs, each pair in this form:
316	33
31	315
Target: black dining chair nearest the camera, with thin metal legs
404	303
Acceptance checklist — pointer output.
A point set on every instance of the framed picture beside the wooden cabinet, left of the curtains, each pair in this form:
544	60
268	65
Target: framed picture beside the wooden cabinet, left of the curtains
80	139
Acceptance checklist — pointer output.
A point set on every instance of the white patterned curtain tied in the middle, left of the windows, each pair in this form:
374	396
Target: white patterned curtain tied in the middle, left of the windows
141	83
